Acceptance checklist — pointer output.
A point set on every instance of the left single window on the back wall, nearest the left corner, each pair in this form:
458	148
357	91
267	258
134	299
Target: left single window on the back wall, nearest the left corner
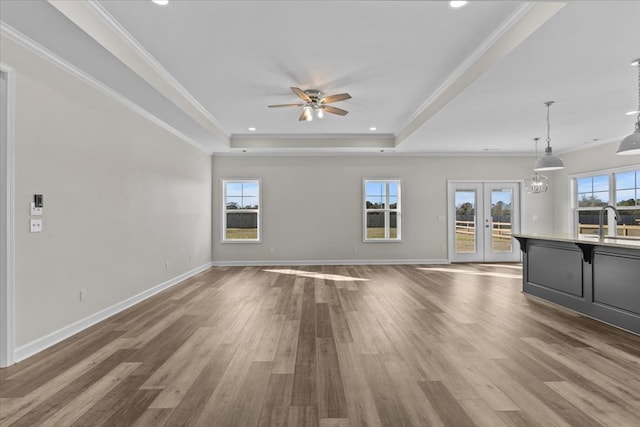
241	210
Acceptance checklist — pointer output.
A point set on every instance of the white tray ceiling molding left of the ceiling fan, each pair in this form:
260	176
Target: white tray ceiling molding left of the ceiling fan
93	19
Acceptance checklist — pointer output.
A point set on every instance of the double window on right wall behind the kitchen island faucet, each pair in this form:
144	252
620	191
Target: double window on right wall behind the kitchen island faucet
619	188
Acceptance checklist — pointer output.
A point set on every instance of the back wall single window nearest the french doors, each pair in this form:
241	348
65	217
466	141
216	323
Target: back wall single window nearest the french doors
382	210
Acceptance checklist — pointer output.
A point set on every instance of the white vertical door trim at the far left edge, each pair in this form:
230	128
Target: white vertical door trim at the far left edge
7	244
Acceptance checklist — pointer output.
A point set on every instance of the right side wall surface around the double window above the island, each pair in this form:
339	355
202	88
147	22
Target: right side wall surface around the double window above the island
588	160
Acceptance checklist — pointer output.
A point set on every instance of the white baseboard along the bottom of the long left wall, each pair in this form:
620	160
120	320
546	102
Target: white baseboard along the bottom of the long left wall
55	337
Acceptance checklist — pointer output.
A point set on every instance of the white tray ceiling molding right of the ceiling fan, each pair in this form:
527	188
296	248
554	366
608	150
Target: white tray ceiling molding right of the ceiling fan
508	36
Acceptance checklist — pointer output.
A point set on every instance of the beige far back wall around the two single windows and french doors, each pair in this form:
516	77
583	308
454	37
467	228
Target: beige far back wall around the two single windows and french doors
312	206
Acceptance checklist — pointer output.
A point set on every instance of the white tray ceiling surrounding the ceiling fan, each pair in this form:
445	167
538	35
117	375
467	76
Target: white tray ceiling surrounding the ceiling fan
431	79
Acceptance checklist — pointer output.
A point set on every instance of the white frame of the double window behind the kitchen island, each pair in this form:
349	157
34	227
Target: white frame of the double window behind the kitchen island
611	173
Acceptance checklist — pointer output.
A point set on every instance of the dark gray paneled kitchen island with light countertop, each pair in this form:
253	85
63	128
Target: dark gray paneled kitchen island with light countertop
596	277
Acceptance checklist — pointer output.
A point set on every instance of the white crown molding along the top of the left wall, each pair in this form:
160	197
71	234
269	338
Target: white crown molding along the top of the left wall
44	53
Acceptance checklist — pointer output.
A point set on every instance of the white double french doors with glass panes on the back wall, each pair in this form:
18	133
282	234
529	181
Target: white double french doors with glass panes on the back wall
482	217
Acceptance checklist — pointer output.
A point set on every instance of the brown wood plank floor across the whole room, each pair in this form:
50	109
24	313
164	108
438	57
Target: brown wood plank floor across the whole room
452	345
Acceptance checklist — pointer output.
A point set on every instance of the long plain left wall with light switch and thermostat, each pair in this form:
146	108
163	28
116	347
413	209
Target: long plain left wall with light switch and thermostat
121	197
